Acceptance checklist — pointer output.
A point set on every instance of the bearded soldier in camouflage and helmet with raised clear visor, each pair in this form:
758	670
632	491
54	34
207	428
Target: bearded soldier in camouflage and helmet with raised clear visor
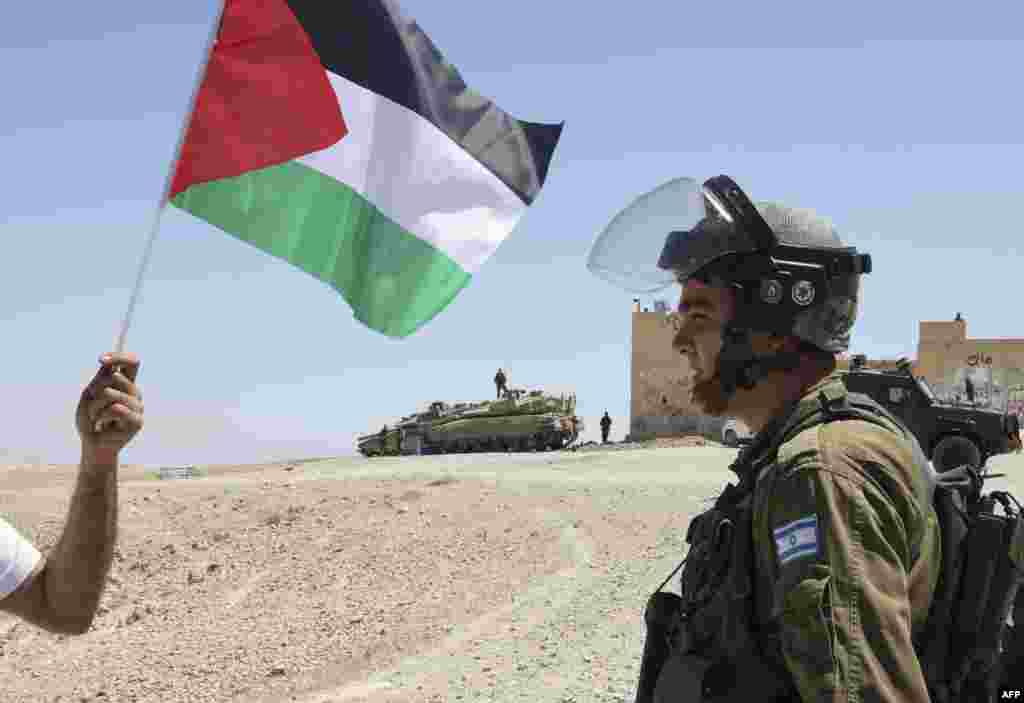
812	579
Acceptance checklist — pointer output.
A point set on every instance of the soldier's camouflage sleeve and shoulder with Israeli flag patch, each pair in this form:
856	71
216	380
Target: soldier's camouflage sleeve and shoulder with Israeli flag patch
850	593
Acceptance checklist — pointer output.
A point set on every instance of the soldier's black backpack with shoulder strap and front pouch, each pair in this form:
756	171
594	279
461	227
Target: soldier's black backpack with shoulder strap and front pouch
961	645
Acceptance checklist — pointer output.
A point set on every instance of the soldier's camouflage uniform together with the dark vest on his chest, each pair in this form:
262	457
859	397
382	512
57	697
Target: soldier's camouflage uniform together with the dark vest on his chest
845	557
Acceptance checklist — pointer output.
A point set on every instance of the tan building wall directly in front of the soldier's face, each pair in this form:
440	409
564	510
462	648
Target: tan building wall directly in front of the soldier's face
660	385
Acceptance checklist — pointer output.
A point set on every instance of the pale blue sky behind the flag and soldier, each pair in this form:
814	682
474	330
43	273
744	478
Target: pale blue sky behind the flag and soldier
902	123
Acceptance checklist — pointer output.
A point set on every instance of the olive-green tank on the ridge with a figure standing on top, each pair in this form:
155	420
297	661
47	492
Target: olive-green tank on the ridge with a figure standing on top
522	421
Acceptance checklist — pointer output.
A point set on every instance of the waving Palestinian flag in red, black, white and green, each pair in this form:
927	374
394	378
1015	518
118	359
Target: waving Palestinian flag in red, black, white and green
335	137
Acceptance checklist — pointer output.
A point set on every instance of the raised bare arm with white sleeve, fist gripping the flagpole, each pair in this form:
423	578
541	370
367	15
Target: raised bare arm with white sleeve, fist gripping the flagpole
61	592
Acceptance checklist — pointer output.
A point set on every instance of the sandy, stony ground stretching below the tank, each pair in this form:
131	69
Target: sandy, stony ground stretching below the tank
486	578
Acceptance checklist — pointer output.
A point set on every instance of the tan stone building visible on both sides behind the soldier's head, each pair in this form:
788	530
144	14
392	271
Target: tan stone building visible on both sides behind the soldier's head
660	398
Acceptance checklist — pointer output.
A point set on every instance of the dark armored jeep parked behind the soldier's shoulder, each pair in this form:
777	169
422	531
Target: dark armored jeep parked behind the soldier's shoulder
951	434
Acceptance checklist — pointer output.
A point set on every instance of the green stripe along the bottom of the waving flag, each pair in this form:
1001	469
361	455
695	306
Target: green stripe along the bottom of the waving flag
394	281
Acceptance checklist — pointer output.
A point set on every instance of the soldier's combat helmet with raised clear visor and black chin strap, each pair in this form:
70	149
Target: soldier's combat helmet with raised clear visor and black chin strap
791	273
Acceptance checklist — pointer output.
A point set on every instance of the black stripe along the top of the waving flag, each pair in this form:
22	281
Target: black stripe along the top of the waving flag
372	45
